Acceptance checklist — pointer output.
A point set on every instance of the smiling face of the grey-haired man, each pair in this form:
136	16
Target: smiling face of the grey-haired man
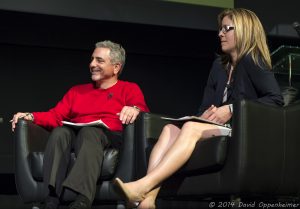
101	67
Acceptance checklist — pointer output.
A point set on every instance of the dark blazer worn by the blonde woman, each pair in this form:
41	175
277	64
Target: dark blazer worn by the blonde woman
250	81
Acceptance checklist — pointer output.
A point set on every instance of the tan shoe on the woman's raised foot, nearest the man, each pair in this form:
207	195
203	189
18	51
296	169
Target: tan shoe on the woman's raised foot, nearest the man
131	199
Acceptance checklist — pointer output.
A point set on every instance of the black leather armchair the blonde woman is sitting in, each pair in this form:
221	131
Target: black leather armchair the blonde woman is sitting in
261	160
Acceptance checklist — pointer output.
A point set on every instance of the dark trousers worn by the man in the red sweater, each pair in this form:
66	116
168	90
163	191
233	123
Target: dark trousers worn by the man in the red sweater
88	144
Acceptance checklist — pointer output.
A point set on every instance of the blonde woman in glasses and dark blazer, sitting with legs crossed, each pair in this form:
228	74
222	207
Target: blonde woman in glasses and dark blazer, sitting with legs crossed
242	71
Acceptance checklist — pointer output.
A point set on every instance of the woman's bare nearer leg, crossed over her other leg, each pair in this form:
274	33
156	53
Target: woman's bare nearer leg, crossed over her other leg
175	157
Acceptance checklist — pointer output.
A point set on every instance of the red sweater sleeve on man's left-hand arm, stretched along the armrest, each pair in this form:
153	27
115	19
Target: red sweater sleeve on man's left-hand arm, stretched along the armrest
54	116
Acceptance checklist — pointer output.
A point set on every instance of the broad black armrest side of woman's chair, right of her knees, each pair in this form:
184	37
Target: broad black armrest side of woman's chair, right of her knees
256	147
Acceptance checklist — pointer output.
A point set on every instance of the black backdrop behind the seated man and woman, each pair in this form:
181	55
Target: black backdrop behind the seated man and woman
42	56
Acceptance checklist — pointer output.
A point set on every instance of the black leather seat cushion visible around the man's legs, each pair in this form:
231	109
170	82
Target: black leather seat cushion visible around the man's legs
109	165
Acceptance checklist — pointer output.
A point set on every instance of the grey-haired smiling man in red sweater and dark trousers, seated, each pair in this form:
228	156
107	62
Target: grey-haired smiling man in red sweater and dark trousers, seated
113	101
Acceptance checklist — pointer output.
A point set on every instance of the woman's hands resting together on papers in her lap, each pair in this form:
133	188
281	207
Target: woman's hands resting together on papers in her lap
217	114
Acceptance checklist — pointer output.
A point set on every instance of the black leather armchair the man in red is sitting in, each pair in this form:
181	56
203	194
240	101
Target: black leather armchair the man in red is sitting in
30	143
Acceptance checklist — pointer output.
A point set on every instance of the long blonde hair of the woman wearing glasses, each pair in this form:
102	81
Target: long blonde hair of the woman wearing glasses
250	37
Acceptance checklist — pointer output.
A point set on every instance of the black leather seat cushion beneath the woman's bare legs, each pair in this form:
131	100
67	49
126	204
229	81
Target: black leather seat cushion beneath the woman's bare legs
209	156
